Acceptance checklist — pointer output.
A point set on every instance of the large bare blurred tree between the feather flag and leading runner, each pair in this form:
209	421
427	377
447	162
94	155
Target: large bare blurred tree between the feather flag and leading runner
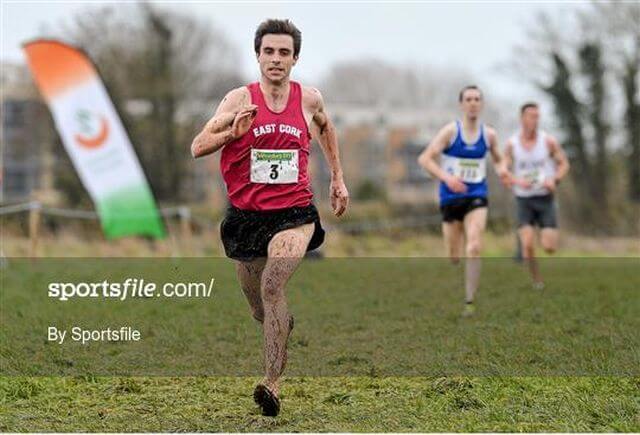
157	65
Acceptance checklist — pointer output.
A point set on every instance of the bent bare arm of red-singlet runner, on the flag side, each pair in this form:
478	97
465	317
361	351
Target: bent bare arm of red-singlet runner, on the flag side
232	119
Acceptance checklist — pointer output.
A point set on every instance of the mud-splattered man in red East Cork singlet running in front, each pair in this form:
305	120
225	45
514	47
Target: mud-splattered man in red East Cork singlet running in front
264	131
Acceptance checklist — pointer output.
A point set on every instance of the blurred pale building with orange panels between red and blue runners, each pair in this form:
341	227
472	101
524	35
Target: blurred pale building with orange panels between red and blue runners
379	148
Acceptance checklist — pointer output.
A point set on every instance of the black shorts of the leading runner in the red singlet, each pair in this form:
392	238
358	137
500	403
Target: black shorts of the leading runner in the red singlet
246	234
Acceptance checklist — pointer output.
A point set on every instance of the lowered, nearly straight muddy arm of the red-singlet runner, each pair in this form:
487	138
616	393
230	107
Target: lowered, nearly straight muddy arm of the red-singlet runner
323	130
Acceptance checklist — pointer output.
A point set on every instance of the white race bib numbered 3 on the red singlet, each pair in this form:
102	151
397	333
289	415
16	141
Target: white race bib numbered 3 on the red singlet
274	166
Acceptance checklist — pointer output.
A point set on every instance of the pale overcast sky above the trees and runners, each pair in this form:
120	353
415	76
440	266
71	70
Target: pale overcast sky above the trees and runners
476	36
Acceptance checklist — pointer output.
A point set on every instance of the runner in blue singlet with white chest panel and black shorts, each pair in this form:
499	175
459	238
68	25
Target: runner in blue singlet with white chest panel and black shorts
462	147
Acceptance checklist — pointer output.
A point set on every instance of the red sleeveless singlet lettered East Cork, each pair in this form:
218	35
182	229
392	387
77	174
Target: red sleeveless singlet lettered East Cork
286	130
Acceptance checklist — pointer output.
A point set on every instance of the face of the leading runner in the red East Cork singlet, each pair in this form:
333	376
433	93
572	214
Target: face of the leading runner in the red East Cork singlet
276	57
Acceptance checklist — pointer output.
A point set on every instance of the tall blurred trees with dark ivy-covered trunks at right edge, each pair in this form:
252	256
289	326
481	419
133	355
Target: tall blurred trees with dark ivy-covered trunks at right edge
587	63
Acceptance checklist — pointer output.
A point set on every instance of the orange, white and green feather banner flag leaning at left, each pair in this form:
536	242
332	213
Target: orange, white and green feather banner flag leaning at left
95	139
